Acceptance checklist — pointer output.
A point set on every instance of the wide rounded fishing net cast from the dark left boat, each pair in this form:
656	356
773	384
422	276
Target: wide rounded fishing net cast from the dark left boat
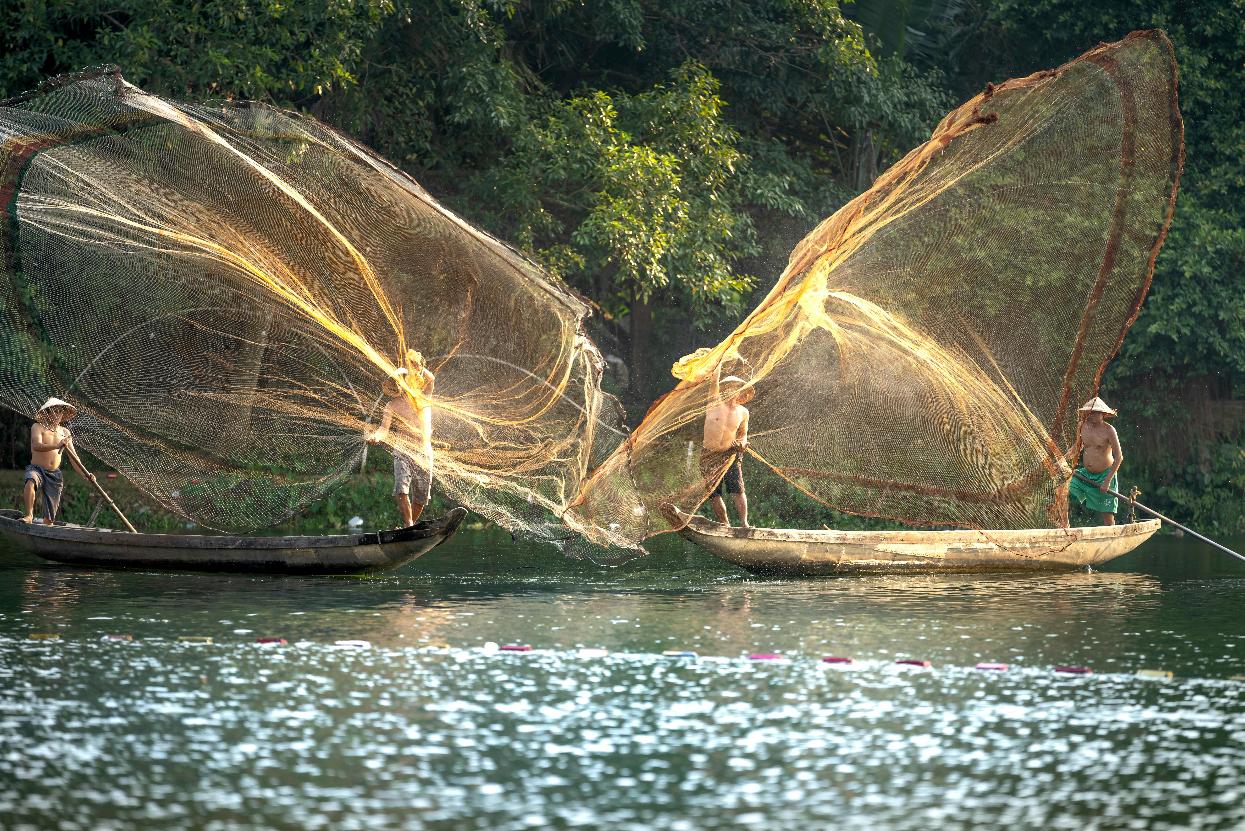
225	291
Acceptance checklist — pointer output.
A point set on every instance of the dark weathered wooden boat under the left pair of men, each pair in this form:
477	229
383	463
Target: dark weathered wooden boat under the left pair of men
333	555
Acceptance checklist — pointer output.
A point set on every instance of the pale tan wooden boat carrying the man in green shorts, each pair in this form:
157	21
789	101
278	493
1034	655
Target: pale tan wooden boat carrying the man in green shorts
780	551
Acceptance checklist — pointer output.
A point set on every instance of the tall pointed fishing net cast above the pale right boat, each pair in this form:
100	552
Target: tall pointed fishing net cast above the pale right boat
924	353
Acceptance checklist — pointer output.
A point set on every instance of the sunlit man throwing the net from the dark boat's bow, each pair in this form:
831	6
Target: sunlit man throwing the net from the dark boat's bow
413	477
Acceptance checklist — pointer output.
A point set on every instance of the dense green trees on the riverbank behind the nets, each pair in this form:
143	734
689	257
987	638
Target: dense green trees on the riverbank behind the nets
664	156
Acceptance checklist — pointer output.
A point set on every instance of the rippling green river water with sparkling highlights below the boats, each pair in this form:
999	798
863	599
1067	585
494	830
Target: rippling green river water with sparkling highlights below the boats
428	726
